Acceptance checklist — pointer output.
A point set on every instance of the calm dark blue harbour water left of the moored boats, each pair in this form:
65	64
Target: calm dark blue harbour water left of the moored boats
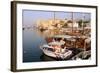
32	39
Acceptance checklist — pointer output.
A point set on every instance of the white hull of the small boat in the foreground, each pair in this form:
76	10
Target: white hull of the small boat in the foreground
49	51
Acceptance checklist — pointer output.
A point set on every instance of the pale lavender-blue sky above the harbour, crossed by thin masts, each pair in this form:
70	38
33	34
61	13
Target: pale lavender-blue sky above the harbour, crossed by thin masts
30	17
